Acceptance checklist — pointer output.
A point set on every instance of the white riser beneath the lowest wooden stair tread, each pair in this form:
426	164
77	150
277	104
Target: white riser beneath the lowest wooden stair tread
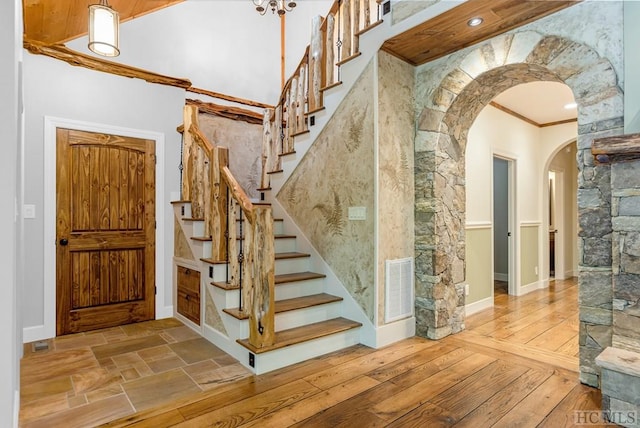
303	351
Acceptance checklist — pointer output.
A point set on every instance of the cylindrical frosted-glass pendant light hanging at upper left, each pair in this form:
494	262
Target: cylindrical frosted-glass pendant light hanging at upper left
104	29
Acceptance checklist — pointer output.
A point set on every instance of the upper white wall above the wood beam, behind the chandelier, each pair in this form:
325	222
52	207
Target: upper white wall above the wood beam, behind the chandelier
224	46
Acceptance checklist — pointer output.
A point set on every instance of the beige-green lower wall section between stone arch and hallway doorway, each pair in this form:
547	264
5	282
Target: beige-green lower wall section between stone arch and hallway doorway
479	263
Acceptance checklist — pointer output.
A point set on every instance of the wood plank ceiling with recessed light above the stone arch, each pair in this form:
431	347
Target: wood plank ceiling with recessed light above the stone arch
449	32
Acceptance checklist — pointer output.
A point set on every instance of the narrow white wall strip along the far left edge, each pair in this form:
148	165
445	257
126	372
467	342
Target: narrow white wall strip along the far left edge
10	337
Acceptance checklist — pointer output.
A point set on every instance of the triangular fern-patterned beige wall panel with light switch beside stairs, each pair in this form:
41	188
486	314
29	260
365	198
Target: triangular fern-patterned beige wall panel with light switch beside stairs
336	173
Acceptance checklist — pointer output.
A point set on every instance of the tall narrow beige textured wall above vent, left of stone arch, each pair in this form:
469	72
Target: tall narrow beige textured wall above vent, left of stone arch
395	159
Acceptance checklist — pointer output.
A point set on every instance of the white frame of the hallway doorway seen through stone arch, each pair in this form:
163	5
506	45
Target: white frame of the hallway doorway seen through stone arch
513	256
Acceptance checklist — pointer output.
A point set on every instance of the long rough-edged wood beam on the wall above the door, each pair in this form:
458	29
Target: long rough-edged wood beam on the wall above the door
75	58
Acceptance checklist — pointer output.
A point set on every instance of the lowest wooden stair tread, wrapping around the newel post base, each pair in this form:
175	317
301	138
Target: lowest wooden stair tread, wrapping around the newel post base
305	333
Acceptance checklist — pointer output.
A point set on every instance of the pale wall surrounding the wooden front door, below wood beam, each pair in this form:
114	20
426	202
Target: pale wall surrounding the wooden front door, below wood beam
54	88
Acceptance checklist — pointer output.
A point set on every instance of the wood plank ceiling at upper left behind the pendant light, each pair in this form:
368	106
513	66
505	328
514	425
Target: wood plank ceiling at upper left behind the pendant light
58	21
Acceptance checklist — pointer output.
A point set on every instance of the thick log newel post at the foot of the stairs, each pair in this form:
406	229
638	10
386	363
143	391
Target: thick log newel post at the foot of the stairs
261	318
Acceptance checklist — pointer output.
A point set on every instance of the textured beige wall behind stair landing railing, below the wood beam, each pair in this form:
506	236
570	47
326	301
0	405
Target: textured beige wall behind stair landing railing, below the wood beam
244	141
